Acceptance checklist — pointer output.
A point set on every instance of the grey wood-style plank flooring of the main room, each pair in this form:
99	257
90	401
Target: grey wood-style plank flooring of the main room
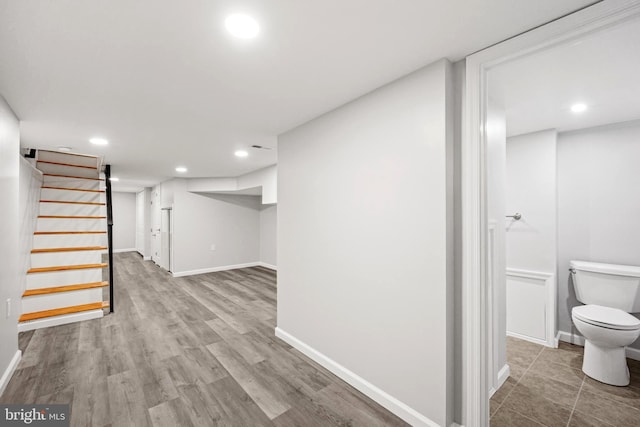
193	351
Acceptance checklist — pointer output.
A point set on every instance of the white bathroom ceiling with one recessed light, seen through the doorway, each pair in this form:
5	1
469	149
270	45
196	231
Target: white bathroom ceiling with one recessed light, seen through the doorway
601	71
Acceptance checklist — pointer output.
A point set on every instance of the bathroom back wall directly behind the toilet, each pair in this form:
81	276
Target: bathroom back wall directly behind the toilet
598	204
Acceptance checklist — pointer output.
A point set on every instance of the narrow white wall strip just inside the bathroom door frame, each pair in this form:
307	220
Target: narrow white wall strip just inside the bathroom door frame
496	208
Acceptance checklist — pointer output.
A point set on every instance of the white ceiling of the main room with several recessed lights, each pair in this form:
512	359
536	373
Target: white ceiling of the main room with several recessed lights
167	86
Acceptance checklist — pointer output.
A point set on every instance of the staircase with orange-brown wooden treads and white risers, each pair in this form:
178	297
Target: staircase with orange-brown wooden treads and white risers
66	282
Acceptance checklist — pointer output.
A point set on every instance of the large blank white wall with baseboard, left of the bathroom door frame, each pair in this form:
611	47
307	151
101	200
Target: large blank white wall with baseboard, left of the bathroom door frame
363	248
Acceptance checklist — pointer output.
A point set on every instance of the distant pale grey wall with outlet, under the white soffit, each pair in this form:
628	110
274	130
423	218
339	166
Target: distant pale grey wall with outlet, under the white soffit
213	232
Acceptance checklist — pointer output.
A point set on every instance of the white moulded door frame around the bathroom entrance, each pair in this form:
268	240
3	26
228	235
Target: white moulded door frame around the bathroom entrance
475	316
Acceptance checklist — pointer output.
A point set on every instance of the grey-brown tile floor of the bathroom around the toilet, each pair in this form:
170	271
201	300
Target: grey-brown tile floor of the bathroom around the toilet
547	387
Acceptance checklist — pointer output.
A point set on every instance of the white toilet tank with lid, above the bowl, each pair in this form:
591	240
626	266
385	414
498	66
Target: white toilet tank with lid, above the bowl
610	285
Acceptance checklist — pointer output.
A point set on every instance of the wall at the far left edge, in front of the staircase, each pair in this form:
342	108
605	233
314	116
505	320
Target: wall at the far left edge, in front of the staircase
10	275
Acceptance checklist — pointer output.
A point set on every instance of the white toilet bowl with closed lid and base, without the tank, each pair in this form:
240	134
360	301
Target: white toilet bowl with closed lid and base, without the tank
607	331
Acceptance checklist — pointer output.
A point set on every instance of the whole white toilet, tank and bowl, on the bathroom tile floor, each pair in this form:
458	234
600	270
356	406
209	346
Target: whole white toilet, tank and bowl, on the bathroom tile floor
610	293
